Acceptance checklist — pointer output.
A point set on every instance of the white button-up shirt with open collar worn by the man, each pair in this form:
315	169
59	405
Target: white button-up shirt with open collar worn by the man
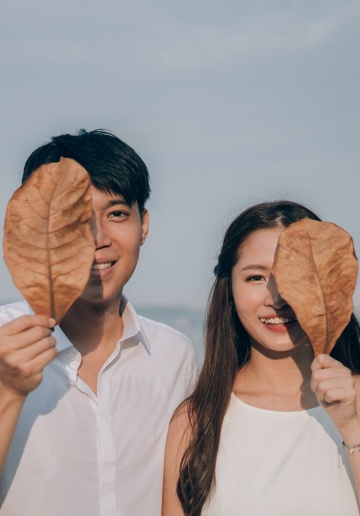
77	453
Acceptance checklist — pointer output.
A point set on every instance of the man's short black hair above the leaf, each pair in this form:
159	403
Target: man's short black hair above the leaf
112	165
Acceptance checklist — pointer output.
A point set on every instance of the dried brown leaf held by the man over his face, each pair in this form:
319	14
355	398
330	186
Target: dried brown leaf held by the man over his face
48	243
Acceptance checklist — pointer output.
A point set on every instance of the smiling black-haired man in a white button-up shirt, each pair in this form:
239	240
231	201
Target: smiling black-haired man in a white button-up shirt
83	425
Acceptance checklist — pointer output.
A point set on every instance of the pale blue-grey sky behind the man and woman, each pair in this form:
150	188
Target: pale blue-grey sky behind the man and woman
228	102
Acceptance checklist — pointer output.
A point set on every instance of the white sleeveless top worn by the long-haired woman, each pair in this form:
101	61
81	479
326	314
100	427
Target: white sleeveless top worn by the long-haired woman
280	464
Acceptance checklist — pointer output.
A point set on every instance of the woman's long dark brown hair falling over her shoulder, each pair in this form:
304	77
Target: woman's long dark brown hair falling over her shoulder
227	349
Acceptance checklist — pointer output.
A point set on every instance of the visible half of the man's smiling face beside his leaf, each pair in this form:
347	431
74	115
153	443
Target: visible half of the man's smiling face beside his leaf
119	231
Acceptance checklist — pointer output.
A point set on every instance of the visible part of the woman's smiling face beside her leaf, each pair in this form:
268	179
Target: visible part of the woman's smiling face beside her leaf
266	317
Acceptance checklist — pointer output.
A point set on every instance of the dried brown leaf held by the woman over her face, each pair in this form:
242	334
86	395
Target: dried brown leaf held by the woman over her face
315	269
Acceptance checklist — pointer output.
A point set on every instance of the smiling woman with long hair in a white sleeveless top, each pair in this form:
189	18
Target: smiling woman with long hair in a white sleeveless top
262	433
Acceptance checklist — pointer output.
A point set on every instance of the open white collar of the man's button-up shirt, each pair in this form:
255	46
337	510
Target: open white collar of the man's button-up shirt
133	329
